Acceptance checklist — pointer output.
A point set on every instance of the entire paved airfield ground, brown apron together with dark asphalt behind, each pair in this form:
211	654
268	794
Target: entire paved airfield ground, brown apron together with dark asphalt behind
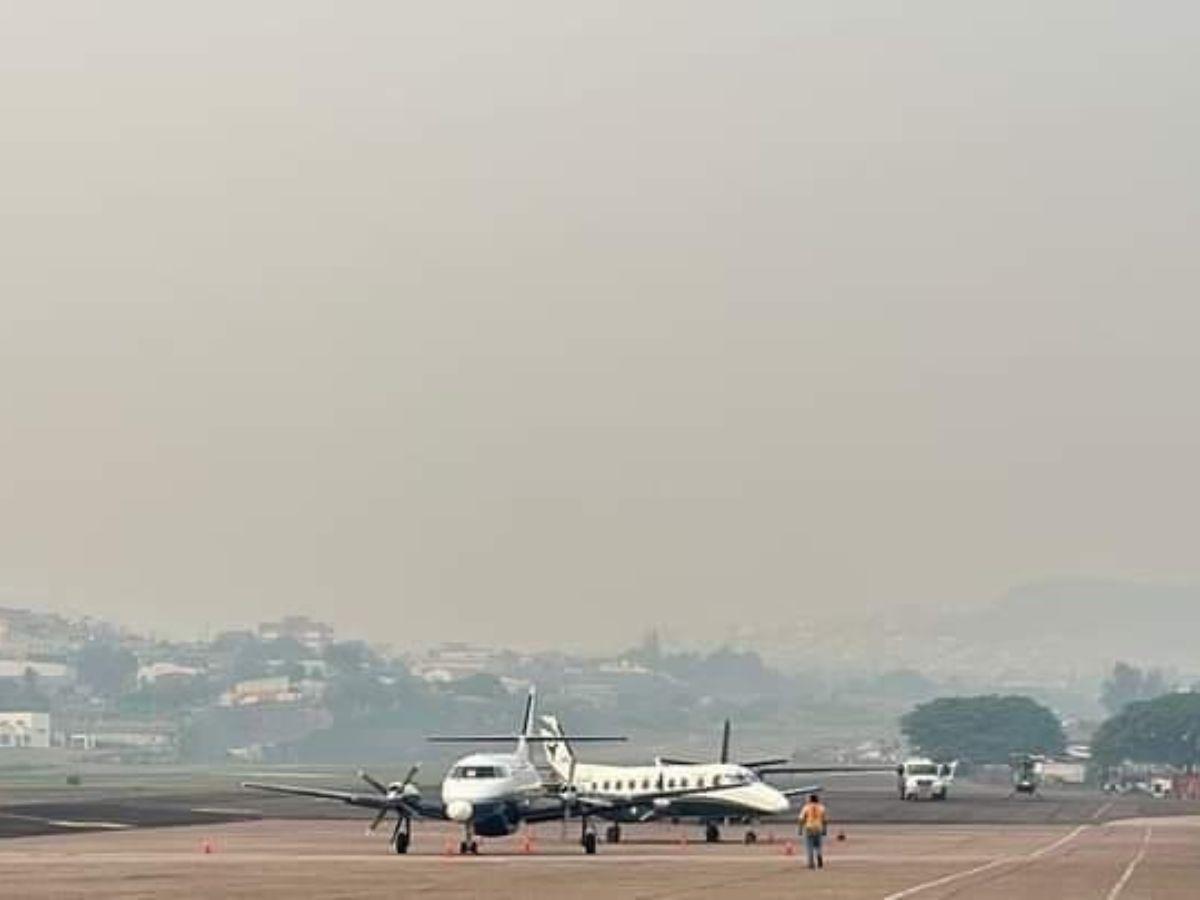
980	844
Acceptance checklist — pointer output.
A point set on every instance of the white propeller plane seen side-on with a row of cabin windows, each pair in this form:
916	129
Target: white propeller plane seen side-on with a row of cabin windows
724	791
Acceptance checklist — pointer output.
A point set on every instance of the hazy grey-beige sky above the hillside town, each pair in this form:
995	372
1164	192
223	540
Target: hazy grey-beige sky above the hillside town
545	322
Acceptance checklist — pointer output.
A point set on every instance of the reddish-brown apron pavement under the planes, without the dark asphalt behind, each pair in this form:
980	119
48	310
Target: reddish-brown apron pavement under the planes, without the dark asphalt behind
333	859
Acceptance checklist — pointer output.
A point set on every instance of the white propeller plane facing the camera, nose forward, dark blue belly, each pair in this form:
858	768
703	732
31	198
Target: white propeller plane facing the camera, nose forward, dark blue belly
490	795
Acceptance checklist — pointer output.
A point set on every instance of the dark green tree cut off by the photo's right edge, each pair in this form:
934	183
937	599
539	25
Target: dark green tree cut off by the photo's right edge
1165	730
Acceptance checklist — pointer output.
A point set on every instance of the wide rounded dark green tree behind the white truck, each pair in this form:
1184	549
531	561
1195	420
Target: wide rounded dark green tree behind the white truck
986	729
